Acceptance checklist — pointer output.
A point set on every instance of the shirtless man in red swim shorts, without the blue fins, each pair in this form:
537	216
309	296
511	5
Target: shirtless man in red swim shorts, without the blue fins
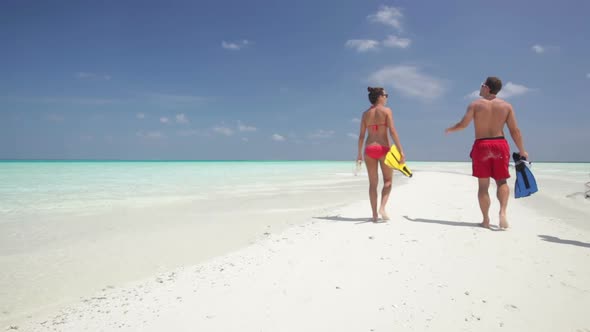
490	153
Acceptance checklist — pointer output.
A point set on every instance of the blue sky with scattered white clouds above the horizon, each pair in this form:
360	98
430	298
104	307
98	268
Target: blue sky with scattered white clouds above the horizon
283	80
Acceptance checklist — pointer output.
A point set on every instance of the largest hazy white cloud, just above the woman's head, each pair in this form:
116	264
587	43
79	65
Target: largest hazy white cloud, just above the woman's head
409	81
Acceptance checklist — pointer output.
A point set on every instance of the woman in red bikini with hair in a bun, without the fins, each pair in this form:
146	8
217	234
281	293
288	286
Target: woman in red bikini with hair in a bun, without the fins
378	120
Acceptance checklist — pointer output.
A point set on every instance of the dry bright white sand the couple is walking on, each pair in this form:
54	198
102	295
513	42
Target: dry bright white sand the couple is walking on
429	268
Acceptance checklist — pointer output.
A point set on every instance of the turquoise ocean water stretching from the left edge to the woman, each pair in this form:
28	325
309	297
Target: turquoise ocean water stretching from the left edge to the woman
30	189
